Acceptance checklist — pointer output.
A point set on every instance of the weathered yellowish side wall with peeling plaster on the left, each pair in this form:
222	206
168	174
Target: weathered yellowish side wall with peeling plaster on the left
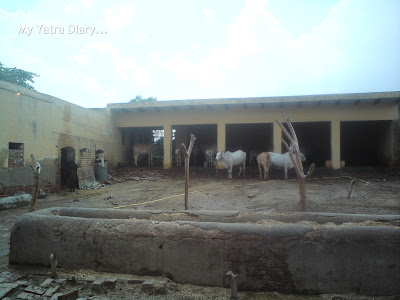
44	125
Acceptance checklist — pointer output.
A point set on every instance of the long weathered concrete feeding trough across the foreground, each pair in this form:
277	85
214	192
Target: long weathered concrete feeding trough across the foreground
325	253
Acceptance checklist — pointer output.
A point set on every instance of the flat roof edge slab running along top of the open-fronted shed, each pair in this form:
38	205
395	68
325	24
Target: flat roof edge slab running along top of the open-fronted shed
228	102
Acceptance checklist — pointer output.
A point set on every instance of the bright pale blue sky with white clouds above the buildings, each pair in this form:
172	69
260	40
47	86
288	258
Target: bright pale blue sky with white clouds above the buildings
92	53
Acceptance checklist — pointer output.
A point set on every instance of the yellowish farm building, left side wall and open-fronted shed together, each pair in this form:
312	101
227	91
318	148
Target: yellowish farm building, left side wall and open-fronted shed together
333	130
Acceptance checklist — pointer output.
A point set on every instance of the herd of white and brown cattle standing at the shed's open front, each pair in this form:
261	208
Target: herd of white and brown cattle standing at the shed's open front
265	160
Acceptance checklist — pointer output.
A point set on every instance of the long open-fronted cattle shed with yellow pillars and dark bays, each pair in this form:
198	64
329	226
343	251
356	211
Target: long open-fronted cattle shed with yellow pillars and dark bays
333	130
